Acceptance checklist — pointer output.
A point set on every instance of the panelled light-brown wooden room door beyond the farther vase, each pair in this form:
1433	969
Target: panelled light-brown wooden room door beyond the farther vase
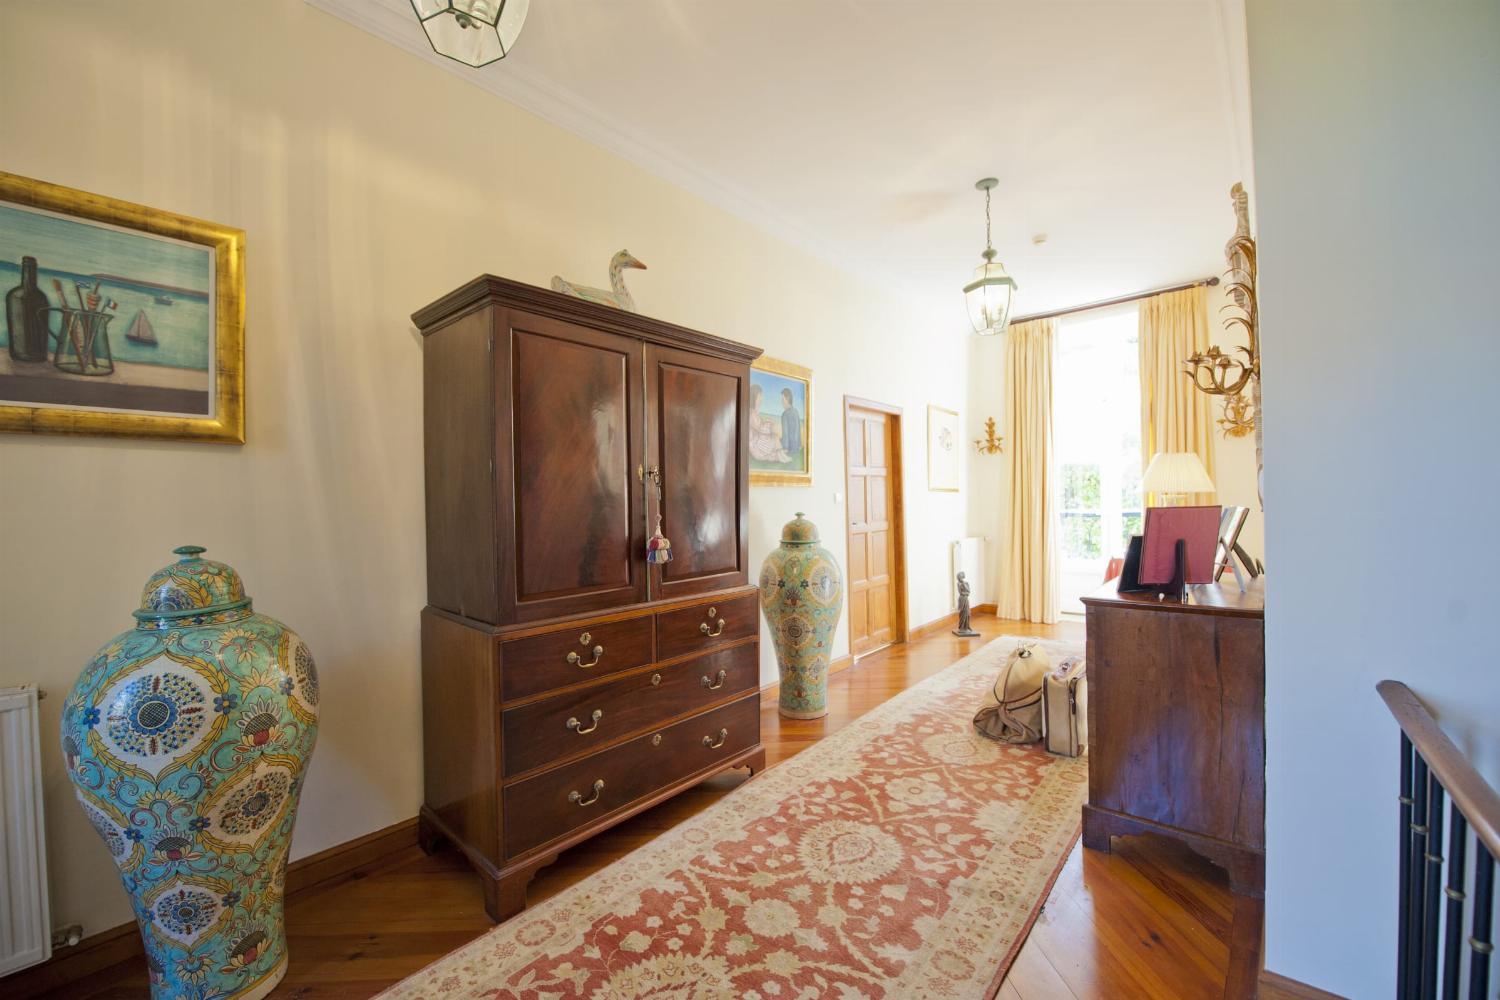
877	558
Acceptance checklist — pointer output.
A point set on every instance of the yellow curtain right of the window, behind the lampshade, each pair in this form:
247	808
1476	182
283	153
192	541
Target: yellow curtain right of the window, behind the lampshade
1174	416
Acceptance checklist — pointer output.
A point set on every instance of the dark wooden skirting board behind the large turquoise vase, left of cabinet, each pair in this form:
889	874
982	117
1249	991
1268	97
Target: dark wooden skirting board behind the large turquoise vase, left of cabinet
107	948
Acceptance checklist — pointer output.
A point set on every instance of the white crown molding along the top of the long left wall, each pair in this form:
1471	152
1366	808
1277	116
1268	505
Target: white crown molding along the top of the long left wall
394	22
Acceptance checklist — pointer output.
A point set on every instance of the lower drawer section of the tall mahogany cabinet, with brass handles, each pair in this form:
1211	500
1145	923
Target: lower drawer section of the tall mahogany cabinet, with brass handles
535	743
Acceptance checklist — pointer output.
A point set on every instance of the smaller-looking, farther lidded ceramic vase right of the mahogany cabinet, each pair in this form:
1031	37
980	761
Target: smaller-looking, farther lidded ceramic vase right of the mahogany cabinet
802	597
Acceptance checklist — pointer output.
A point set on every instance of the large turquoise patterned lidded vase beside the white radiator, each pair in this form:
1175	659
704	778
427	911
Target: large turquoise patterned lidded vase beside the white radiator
187	740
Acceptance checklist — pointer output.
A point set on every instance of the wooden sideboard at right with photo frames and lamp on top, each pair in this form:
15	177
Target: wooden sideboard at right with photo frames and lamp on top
1178	723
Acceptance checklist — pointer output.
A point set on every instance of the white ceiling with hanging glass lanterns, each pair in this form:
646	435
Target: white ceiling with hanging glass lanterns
857	128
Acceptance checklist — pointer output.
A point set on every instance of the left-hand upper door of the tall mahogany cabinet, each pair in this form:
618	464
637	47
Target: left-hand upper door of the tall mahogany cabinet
568	455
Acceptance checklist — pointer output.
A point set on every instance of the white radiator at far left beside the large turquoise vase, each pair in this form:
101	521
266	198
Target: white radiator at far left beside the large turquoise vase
26	936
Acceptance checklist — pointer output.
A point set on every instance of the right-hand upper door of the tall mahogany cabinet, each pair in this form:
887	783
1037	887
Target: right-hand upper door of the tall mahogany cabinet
697	407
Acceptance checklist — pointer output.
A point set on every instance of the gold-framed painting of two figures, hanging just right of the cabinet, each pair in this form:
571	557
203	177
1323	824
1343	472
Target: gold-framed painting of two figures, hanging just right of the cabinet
781	424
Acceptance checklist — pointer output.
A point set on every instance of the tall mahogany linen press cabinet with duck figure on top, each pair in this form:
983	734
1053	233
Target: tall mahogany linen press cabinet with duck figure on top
568	683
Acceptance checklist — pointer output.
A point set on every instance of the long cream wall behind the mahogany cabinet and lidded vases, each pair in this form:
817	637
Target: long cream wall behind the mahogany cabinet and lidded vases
368	184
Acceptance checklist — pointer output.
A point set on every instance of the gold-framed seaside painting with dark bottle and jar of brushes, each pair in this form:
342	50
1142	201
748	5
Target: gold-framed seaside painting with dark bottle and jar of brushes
119	320
